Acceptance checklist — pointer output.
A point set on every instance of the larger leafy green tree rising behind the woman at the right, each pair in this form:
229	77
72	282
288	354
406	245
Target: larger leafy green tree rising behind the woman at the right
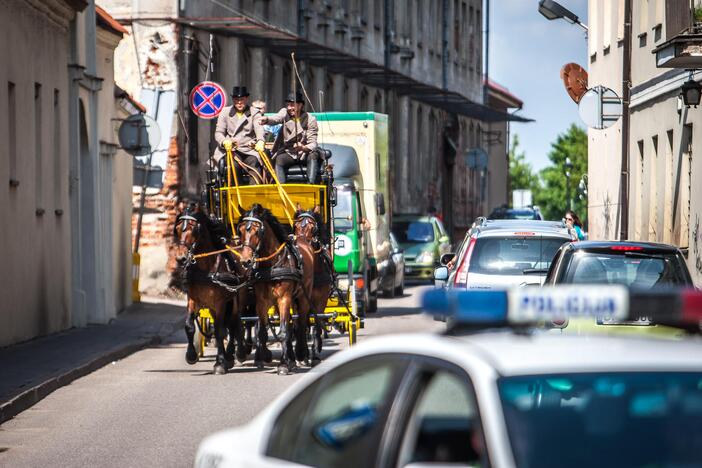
557	187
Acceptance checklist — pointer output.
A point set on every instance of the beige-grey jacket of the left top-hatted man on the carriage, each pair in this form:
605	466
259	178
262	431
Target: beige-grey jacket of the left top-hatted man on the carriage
244	132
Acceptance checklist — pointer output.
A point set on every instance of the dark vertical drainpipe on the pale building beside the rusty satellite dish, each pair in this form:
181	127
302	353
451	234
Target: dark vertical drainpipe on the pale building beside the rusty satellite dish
626	97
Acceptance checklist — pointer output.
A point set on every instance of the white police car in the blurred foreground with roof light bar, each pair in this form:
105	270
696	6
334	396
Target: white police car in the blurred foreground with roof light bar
494	391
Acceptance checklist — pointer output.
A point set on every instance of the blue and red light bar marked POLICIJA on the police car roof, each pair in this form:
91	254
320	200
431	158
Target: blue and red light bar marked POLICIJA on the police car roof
529	305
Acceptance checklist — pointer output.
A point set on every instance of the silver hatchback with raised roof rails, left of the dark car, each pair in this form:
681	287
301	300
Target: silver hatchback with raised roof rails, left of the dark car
498	254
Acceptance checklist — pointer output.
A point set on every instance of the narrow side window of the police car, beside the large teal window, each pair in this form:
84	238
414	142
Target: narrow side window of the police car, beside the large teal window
444	426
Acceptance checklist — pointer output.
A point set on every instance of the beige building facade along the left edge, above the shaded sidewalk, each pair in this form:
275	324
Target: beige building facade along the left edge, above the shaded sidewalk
62	172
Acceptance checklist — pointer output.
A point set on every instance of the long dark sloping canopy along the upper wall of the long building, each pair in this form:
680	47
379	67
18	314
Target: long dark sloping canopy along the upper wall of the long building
261	34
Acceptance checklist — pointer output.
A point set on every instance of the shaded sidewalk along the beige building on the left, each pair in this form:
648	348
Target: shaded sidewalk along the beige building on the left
30	371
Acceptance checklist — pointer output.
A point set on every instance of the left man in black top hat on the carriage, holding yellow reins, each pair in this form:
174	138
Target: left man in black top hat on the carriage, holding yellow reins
238	124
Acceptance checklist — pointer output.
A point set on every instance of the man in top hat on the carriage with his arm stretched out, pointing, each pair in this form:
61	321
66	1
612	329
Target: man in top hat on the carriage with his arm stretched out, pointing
297	140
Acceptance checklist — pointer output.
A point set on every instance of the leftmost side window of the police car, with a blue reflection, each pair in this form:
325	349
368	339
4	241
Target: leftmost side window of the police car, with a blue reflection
339	420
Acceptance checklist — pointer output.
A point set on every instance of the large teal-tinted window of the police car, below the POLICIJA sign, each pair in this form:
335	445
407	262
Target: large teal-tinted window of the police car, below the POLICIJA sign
606	419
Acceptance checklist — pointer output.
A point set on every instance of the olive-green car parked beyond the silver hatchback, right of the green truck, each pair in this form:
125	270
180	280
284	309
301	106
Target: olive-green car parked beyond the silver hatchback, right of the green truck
424	240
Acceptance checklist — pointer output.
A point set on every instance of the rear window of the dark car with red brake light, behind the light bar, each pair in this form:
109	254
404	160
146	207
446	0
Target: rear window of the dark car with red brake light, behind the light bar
639	270
